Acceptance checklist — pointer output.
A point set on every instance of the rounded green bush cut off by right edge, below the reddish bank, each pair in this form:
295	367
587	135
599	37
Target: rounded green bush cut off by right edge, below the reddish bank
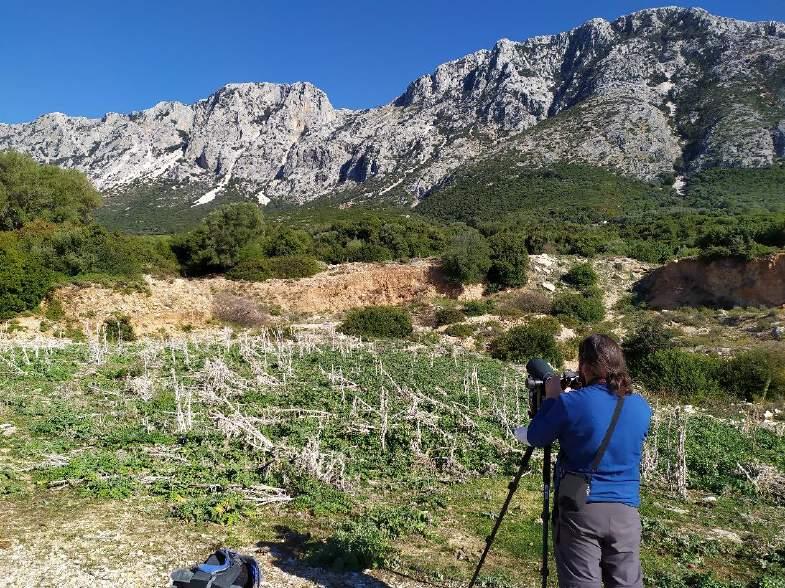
757	374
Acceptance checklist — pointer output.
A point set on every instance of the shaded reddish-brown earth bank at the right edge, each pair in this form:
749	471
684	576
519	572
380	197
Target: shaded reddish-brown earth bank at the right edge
724	282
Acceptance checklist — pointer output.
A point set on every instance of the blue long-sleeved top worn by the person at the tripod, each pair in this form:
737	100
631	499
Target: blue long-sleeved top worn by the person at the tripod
579	420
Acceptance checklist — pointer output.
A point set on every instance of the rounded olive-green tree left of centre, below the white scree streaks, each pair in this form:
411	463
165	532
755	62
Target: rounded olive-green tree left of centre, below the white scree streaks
215	245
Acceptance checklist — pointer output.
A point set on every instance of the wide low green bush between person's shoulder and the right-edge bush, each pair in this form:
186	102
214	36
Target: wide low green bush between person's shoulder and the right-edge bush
689	375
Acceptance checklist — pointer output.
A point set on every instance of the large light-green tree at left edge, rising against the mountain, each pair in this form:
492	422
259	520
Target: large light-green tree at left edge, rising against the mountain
30	191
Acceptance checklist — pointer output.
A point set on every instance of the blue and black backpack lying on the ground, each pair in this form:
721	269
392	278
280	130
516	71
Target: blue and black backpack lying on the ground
223	569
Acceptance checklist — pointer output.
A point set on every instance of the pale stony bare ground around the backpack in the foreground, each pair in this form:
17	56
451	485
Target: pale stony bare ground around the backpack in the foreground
73	543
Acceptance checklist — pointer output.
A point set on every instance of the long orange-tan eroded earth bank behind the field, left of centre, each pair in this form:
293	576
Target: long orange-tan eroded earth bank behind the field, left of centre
196	302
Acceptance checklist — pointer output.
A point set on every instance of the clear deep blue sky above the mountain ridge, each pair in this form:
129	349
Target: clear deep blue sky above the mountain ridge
85	57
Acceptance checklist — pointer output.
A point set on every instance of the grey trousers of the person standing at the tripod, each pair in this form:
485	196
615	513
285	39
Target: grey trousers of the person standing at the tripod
598	546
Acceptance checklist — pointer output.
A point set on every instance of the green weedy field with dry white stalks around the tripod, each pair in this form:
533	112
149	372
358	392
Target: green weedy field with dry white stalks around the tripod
395	454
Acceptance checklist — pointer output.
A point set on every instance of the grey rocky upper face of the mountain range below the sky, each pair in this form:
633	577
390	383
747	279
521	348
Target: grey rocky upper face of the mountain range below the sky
654	91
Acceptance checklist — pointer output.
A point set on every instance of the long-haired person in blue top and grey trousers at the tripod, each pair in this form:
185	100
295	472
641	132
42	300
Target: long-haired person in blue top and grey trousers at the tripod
597	527
